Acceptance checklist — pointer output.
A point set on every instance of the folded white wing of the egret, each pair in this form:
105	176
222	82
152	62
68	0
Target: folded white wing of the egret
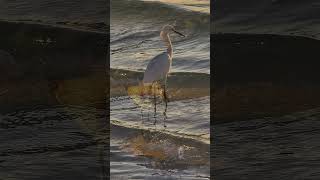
157	68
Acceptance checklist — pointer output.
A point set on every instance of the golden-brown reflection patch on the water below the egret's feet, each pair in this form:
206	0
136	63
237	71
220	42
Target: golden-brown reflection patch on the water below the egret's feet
165	152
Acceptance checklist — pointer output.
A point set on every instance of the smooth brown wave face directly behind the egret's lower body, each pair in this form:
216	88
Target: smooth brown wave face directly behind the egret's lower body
181	85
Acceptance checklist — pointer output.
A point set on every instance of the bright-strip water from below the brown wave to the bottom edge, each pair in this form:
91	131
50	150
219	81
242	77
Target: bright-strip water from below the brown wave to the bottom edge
178	151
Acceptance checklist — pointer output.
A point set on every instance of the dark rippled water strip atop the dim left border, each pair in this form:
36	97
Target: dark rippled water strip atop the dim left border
78	14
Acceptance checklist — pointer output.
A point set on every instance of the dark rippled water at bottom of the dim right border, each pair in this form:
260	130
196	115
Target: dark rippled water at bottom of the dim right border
285	147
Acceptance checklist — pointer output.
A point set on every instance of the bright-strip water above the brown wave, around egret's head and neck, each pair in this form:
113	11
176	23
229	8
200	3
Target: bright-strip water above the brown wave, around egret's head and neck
135	29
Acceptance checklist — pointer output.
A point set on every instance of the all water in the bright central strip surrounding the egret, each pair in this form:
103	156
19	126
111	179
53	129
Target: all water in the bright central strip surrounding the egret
137	142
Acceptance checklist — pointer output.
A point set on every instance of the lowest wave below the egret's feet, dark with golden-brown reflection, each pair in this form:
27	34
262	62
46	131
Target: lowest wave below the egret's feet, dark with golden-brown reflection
168	151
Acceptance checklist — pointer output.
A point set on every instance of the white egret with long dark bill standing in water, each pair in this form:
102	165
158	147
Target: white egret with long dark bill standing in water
158	68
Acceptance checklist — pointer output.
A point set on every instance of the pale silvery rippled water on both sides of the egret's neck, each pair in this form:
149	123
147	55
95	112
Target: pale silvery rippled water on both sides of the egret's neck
133	50
